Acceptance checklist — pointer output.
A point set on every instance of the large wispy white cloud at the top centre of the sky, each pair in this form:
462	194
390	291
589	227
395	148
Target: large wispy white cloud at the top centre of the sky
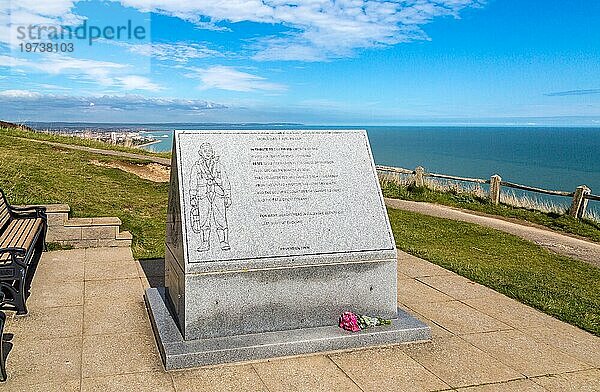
318	29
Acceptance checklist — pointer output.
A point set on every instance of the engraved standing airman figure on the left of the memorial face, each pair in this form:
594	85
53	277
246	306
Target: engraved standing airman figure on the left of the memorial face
210	197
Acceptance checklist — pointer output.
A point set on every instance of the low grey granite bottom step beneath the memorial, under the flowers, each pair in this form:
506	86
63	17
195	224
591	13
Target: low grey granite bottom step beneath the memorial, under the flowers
178	353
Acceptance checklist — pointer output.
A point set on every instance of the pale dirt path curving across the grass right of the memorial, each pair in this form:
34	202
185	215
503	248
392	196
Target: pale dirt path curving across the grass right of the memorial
556	242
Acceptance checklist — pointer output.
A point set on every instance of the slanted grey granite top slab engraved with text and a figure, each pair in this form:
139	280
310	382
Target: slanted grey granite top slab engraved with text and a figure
272	198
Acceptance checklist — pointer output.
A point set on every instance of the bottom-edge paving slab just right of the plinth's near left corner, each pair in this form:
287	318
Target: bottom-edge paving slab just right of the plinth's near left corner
230	378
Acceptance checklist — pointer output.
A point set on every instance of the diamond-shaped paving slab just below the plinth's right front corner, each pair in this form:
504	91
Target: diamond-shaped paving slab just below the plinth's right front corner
460	364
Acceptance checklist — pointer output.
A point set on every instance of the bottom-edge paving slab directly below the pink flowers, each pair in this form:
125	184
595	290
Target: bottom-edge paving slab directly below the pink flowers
387	369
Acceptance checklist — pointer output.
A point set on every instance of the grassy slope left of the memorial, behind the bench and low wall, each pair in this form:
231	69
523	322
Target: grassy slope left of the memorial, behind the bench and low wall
34	173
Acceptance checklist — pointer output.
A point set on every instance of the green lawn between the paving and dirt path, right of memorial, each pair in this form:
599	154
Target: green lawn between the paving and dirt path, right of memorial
560	286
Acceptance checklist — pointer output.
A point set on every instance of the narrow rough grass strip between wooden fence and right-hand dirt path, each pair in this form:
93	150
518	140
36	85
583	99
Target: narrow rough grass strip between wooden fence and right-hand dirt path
560	222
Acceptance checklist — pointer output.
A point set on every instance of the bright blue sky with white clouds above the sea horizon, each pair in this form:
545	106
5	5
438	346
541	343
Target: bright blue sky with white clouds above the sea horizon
309	61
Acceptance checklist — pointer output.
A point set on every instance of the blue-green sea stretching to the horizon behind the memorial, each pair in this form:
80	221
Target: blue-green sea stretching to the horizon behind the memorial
556	158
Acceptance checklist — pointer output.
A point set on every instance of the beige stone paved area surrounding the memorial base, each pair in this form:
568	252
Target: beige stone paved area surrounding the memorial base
88	331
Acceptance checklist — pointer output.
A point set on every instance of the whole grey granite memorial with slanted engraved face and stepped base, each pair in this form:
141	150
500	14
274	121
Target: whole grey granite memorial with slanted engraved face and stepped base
271	236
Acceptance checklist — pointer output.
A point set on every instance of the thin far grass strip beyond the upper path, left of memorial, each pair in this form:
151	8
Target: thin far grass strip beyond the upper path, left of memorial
78	141
